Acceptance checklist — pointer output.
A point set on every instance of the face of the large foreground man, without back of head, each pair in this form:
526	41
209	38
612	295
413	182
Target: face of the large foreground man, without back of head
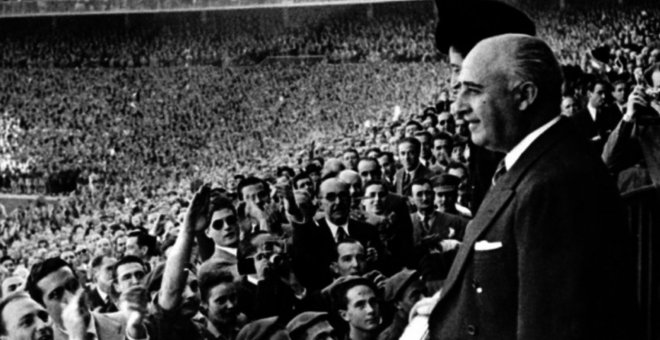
486	100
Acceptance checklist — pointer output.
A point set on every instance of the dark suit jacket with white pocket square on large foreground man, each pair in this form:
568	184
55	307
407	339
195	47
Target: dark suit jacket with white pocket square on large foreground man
538	261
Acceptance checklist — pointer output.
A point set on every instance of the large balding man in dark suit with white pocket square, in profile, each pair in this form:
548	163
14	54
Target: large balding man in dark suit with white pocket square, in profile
537	261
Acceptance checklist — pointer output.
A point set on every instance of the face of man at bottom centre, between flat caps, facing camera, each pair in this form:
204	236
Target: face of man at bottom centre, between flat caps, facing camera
363	311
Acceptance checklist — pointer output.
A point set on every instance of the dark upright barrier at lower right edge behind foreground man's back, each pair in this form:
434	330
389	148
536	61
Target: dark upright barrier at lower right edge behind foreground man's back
643	214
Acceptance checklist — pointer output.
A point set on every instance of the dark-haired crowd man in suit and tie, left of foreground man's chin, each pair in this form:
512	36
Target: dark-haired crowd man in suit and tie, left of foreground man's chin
409	151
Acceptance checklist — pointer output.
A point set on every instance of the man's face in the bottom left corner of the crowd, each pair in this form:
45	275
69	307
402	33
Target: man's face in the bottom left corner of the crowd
25	319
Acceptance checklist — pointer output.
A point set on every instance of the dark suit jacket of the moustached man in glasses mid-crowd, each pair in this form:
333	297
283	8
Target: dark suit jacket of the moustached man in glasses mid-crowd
314	249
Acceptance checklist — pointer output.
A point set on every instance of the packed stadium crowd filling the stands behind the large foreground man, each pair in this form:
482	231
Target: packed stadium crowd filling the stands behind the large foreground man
186	190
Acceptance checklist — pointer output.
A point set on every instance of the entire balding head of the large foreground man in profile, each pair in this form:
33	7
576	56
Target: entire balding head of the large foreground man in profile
509	86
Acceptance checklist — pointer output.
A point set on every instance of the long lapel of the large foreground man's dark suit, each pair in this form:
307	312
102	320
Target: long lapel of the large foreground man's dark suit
499	196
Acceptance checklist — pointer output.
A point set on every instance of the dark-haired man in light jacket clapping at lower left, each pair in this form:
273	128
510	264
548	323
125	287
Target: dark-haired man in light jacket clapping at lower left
53	284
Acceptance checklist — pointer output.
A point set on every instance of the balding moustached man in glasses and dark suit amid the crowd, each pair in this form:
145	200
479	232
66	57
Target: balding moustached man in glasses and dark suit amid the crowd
314	243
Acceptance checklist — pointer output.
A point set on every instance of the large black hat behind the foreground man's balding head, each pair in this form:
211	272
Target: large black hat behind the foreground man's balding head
463	23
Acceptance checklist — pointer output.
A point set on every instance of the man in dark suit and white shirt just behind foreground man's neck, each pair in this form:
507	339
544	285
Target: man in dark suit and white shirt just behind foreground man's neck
598	119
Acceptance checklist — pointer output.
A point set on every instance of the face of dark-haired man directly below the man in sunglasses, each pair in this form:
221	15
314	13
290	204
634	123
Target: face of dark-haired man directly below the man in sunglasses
222	304
